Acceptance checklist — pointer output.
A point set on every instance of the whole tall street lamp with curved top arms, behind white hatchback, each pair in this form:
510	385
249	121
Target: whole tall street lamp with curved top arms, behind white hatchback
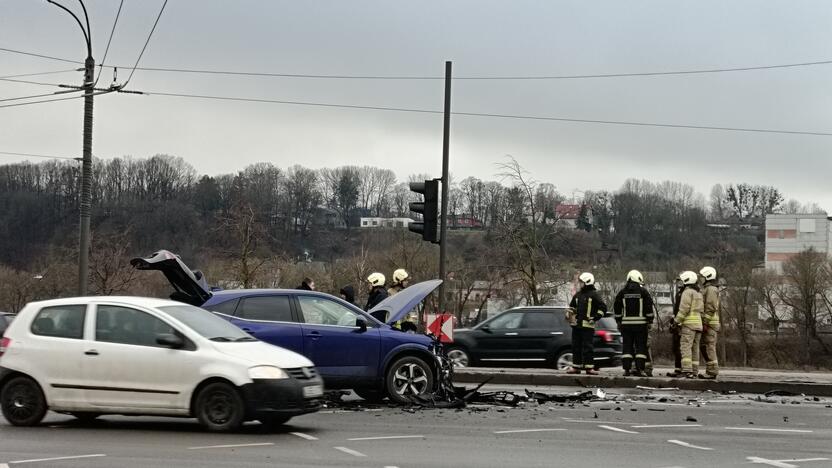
86	167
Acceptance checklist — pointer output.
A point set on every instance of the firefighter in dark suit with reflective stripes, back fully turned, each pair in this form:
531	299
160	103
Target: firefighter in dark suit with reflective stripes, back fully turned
633	308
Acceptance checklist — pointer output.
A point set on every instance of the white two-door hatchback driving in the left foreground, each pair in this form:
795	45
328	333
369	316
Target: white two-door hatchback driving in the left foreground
140	356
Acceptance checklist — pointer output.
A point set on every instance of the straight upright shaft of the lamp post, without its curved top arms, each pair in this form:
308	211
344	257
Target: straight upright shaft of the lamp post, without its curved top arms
86	179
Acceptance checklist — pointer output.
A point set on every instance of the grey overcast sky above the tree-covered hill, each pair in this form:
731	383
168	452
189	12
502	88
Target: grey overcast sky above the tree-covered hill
482	38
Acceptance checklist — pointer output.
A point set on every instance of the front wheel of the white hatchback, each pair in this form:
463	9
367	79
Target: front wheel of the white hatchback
219	407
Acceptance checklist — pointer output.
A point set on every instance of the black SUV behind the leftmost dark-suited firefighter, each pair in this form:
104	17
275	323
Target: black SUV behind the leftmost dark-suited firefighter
531	337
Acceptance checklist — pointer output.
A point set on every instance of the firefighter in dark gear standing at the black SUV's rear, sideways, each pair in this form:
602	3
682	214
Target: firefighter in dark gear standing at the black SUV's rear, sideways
587	307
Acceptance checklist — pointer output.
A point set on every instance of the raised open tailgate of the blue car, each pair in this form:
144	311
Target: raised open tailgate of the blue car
191	287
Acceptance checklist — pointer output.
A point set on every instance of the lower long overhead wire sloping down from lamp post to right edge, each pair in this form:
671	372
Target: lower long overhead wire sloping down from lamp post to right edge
491	115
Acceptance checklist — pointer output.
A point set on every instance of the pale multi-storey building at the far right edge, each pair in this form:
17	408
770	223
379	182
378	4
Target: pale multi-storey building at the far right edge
790	234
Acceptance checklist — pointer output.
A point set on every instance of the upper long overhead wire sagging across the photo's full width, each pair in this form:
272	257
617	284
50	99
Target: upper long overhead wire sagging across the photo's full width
429	77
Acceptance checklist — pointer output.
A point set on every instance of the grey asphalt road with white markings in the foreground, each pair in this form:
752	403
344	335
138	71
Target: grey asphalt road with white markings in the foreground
640	429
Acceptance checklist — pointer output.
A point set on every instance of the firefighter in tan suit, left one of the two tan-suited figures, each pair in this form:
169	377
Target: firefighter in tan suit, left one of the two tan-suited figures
689	322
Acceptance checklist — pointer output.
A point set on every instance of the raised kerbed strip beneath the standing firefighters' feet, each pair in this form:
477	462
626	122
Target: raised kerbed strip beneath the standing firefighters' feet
737	380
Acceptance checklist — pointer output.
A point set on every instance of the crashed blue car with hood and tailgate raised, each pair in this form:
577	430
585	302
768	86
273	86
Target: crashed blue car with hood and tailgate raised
350	348
